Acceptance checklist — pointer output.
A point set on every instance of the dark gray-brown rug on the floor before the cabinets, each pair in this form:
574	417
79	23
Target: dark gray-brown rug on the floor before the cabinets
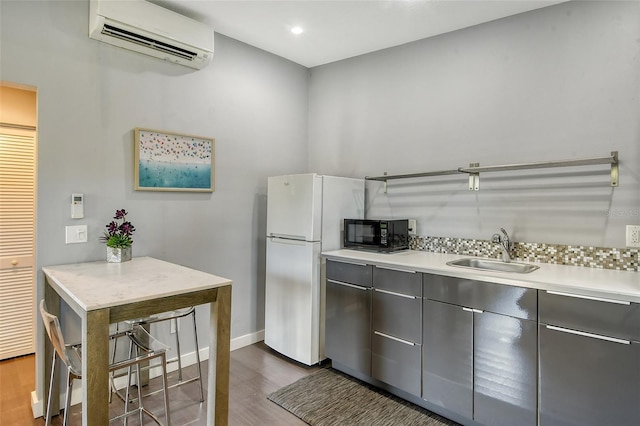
329	397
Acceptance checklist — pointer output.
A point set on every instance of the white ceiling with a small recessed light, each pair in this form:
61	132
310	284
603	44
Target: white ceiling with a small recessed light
340	29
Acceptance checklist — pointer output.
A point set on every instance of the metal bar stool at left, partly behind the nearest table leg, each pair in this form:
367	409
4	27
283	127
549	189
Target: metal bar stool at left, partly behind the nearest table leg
71	356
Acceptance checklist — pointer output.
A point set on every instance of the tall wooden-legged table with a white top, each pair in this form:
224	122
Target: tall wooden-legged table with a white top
103	293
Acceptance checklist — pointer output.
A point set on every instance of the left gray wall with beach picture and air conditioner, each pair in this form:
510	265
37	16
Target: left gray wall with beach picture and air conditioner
90	98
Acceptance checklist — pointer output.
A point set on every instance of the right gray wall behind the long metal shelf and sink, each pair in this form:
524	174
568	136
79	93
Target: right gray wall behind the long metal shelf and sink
552	84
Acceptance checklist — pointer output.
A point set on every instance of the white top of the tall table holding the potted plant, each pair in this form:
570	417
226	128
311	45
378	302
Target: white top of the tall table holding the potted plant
96	285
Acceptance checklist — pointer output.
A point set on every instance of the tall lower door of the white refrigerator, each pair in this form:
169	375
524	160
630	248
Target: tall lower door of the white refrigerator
292	299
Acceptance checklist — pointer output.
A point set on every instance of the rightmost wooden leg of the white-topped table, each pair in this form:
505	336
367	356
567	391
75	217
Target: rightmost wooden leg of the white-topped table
219	347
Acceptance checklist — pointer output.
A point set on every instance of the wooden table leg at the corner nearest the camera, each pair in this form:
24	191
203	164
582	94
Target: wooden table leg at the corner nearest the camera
95	367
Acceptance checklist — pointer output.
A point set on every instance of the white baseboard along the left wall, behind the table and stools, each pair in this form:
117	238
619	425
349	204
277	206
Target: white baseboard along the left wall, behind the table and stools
38	408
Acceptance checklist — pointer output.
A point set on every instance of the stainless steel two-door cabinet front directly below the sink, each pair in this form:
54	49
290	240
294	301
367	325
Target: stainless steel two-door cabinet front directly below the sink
478	363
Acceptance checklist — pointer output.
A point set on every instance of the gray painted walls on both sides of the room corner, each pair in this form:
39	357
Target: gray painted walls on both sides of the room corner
561	82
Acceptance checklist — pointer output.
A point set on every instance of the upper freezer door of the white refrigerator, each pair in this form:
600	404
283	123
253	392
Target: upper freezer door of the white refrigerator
294	206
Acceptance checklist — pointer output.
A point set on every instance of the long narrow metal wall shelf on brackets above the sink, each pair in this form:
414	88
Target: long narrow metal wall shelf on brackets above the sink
475	169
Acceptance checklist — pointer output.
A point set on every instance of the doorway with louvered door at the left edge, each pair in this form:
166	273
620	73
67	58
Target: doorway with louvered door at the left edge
18	117
